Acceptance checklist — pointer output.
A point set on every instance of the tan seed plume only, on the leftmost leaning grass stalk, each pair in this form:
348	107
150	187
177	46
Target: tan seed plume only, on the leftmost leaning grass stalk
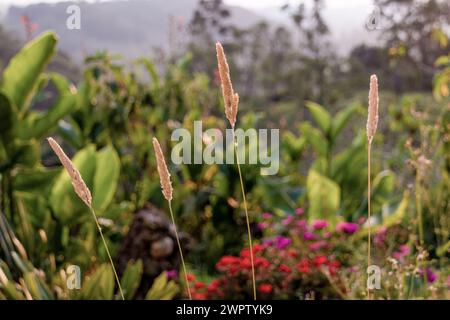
77	181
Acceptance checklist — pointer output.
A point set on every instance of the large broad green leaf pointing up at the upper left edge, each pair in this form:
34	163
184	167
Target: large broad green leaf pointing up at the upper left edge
20	78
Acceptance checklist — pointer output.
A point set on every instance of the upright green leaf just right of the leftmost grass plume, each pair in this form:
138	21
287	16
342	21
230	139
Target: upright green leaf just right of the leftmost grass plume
106	178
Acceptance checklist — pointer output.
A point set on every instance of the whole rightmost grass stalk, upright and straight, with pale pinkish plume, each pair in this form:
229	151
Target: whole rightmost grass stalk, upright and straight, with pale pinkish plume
372	122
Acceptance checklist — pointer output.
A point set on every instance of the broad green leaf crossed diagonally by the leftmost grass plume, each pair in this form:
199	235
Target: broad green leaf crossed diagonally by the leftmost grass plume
63	199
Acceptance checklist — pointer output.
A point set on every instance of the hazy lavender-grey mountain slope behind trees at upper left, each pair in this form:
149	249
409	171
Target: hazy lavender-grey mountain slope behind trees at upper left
131	28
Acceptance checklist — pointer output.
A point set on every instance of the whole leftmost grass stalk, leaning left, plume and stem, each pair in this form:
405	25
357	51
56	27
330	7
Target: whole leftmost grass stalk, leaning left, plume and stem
84	193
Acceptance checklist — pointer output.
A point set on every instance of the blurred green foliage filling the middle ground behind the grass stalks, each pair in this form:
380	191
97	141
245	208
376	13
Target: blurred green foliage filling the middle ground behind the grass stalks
107	119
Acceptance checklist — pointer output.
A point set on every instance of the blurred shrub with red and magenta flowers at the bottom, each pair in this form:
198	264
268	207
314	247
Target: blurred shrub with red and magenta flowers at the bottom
297	259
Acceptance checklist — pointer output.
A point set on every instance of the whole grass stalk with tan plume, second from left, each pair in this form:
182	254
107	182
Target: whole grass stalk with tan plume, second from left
167	190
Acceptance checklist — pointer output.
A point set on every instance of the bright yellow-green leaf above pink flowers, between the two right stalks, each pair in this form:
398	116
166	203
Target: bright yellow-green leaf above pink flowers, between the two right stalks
323	196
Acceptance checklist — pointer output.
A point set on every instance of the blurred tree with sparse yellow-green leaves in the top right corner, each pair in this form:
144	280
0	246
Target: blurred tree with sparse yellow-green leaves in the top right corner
409	28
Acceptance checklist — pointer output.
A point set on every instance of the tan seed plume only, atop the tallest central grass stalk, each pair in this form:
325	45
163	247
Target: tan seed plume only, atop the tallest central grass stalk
231	99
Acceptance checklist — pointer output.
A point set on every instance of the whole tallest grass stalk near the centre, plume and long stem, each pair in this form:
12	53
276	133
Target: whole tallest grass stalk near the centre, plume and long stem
231	101
